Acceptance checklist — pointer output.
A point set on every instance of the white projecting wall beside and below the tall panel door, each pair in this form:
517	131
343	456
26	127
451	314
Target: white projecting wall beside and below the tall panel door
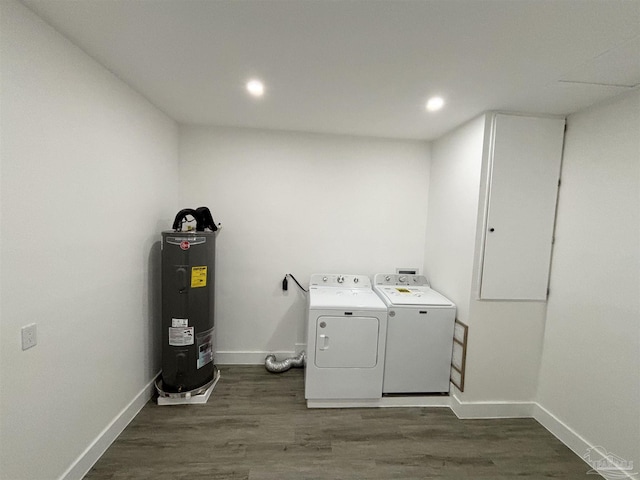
505	338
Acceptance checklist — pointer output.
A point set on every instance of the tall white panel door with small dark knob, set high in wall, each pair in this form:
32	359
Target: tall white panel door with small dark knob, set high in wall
524	171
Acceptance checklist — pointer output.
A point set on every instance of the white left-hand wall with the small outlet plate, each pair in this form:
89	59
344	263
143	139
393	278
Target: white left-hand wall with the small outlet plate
89	178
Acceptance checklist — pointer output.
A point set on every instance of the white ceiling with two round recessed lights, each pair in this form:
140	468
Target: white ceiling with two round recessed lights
358	67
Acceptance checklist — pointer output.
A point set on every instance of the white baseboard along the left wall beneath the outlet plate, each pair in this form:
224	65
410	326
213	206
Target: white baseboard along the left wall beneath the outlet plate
96	449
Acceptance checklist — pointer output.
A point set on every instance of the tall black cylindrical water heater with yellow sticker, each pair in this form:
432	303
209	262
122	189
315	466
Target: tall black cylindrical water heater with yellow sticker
188	264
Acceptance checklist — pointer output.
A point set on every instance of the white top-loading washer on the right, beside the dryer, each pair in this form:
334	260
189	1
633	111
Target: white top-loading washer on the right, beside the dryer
419	335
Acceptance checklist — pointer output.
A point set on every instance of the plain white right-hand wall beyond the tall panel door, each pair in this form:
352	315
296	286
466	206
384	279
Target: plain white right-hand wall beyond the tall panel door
589	378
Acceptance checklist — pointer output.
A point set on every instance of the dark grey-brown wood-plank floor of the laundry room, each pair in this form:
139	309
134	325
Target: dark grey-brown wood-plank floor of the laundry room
256	427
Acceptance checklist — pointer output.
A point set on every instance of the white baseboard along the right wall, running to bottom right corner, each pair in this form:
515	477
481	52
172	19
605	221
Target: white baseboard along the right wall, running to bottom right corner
576	443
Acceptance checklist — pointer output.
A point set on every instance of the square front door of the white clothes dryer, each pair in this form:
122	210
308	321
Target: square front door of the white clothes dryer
347	342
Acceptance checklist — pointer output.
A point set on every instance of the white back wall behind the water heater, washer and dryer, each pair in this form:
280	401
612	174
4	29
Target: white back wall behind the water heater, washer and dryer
301	204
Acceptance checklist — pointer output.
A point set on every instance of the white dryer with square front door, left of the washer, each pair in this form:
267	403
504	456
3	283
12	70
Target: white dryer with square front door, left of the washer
347	326
